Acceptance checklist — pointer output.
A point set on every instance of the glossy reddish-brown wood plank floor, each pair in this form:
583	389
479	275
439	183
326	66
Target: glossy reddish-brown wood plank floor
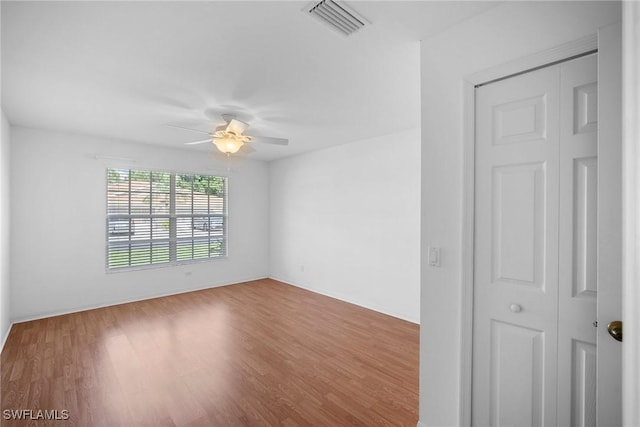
256	353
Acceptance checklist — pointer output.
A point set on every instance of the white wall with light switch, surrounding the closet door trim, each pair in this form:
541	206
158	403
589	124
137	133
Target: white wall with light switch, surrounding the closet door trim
509	31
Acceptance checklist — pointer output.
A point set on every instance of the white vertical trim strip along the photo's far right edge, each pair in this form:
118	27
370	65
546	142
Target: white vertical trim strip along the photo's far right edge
631	213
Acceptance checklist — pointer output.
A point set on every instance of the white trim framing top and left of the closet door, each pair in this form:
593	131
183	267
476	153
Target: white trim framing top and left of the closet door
529	62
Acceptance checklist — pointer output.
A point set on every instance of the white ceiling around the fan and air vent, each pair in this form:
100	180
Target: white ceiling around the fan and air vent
127	69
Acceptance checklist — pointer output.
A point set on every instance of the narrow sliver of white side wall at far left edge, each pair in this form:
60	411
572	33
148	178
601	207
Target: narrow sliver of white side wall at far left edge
5	283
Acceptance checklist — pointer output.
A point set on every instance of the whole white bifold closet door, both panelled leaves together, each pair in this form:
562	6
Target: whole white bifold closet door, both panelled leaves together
536	283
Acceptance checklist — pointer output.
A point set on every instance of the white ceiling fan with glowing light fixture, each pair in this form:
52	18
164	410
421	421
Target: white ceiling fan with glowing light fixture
229	137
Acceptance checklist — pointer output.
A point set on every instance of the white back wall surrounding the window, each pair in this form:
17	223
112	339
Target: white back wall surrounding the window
58	224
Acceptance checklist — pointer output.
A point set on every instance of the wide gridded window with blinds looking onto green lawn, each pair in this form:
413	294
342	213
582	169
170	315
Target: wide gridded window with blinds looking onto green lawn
164	218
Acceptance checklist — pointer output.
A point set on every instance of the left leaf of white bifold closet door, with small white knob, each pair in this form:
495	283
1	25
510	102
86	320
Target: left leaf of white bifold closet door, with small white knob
516	251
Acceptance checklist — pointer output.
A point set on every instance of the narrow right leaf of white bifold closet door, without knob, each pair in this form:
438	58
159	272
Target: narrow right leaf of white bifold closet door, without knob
577	292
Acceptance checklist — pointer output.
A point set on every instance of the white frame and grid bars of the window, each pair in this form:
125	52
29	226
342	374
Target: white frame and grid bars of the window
173	241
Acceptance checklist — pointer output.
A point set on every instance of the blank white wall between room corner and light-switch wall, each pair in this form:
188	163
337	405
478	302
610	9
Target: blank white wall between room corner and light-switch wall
345	222
